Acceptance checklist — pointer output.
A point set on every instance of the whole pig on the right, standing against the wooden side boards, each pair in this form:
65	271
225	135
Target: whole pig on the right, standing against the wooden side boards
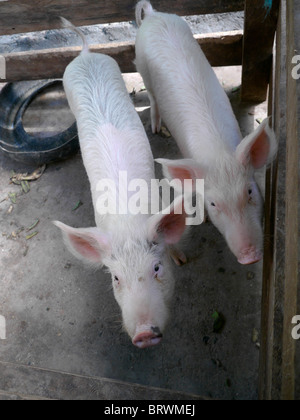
185	92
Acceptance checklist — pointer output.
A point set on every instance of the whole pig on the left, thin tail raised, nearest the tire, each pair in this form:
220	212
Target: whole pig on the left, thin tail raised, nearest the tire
135	248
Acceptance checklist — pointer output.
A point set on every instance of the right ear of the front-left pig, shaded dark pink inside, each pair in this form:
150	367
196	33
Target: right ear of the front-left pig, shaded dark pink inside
171	223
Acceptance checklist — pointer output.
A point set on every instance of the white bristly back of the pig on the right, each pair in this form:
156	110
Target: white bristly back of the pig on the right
190	98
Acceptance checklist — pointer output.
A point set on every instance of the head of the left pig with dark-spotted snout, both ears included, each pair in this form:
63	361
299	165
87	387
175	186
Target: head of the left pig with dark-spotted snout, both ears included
136	254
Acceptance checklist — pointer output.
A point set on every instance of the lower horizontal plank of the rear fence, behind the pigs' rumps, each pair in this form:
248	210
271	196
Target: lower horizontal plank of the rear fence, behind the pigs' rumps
222	49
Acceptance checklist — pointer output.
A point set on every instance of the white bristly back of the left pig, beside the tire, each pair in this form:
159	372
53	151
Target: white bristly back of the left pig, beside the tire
112	138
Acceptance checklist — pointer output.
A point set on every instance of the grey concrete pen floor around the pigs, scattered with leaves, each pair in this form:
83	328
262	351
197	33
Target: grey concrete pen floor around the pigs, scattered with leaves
62	317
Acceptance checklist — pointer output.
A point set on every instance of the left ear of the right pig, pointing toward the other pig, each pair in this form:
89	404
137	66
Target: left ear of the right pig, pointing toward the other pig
182	169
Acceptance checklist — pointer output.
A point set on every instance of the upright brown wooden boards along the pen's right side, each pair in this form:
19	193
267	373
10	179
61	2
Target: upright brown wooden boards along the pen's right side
279	359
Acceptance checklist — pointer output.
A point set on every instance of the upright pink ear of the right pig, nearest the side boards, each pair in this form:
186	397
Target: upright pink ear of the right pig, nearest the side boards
259	148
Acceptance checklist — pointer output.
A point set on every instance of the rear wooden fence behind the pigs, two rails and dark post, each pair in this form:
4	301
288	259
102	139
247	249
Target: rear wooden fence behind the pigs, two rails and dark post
18	16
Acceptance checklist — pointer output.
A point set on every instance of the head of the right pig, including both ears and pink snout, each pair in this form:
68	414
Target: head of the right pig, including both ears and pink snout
232	197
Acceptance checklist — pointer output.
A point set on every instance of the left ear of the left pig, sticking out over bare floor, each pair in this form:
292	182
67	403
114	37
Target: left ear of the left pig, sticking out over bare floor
89	245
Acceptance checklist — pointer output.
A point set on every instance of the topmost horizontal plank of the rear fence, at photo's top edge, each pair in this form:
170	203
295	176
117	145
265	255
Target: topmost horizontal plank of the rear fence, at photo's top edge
17	16
